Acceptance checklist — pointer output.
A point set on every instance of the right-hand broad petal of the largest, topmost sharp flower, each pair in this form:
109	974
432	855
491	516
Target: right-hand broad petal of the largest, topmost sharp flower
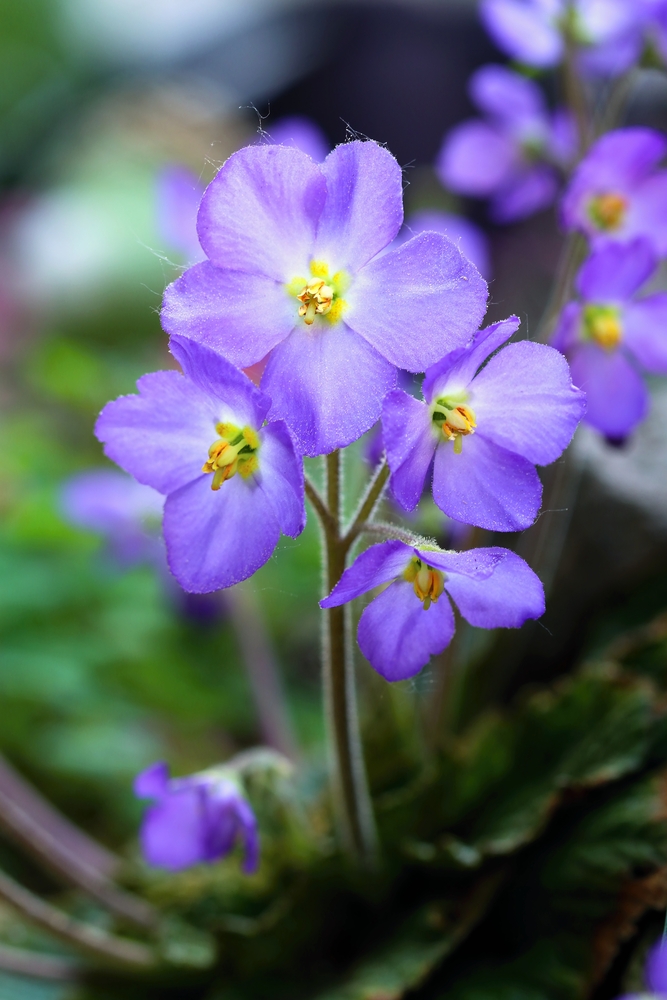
426	287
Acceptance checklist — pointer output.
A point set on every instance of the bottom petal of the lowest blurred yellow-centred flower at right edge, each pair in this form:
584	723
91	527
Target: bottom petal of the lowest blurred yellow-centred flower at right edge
616	396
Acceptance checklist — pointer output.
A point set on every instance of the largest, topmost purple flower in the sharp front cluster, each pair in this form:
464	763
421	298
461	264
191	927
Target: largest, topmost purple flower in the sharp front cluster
294	270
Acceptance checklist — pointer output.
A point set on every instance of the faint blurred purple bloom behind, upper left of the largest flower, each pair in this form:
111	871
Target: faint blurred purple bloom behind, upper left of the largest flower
179	193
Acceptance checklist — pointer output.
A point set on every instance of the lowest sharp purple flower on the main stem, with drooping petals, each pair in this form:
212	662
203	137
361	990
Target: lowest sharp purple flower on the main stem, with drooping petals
412	619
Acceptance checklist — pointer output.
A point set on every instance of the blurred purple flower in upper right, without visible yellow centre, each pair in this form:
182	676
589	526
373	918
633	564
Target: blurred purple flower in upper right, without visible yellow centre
508	158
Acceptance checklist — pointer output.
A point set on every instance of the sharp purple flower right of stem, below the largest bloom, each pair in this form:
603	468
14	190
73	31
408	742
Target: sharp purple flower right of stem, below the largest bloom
484	431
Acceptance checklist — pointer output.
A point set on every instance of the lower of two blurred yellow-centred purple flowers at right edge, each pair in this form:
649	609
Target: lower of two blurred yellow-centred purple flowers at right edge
612	333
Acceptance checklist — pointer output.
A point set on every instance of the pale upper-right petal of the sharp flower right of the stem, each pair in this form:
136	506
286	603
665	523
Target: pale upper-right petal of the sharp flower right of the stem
524	401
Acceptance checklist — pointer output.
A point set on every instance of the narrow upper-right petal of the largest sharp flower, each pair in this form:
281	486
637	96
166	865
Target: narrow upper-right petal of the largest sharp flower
364	205
